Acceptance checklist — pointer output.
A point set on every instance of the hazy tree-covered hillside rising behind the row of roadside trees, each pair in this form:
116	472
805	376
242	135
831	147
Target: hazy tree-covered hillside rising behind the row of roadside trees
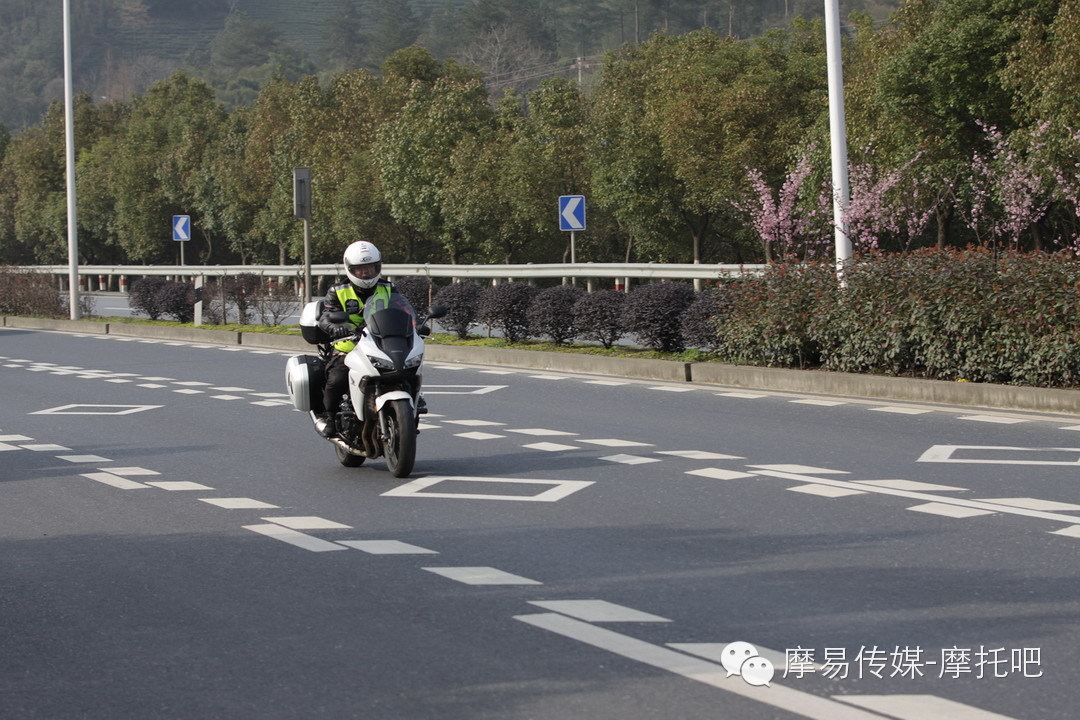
121	48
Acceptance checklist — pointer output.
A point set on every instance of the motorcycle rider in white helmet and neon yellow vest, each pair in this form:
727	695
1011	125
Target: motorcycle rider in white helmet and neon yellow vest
363	266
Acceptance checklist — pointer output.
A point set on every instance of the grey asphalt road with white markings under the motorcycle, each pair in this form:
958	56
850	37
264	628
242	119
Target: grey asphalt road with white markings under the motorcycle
177	542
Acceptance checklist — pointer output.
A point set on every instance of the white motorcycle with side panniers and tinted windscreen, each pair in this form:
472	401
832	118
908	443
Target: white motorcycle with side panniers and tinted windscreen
381	415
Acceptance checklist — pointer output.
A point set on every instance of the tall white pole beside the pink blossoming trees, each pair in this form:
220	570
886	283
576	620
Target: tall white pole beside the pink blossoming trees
839	137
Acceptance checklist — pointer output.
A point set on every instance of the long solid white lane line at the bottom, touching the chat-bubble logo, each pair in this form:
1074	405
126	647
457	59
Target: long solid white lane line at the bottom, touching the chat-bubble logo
695	669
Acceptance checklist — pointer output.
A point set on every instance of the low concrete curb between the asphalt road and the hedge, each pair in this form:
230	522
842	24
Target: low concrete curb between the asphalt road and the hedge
823	383
